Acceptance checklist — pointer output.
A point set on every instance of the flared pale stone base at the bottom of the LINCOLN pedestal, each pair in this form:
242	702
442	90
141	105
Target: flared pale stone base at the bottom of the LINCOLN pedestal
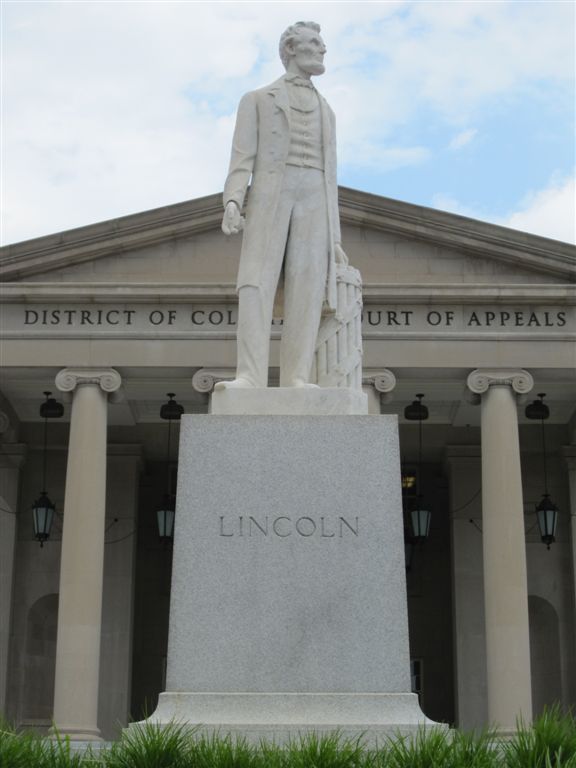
280	717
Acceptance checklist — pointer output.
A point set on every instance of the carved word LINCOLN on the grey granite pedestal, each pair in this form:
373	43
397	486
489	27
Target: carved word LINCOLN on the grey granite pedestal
285	526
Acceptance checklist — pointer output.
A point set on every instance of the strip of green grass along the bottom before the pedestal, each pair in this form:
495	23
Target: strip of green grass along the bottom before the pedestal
549	743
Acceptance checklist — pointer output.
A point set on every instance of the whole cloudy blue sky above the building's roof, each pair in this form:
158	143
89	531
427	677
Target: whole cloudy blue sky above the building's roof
114	107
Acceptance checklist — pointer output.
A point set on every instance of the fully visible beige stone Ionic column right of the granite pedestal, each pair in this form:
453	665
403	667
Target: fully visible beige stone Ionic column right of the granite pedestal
504	549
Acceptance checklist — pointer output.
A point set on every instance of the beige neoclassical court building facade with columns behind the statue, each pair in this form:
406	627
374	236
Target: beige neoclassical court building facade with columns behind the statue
111	317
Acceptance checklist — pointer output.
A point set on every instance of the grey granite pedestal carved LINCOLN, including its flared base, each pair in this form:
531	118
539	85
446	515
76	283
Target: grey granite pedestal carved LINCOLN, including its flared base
288	606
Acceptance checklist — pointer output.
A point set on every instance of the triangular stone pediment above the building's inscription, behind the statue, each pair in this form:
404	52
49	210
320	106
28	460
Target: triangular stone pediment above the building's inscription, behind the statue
390	241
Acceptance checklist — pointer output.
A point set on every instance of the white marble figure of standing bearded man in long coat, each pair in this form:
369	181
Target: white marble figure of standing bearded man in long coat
285	146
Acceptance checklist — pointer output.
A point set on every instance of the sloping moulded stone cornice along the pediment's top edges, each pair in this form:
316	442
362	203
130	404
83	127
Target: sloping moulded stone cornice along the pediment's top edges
469	236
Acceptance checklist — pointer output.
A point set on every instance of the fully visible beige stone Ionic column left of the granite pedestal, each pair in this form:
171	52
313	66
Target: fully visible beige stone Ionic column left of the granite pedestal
82	559
